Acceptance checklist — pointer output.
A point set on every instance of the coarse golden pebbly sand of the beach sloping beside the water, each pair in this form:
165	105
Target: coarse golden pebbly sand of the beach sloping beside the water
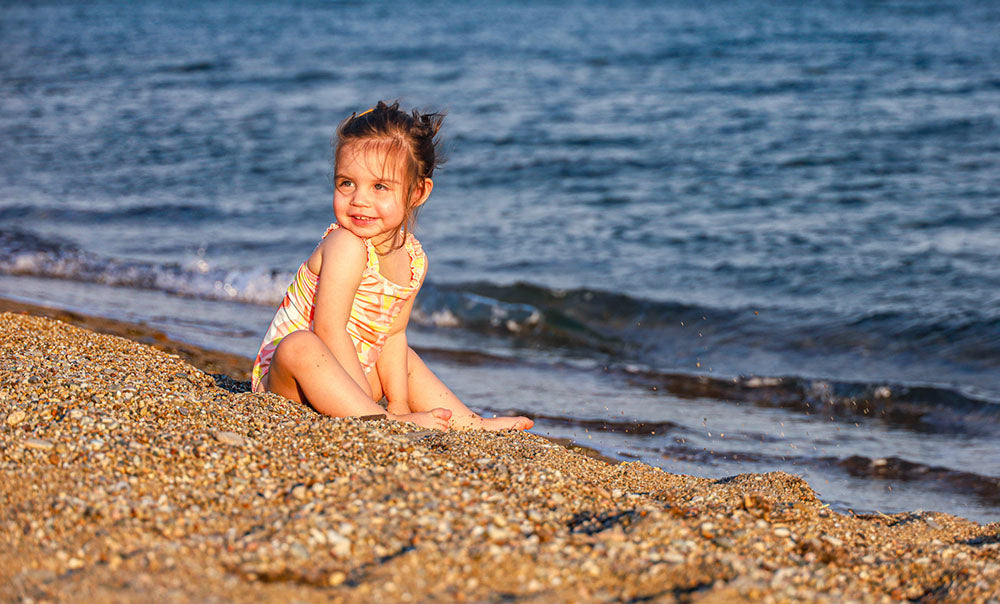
128	474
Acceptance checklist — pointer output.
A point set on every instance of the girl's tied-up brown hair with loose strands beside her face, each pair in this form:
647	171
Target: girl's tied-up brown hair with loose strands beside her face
415	135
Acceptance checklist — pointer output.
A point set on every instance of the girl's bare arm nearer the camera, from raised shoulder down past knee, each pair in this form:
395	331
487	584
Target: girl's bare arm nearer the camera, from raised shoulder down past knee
339	261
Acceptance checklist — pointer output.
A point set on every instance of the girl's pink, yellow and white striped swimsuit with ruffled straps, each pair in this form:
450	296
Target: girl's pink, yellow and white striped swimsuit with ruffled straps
377	303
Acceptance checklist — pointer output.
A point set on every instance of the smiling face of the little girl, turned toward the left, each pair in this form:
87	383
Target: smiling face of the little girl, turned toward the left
369	198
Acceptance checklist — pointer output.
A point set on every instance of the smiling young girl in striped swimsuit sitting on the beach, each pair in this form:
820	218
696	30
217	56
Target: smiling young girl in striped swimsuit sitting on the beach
338	340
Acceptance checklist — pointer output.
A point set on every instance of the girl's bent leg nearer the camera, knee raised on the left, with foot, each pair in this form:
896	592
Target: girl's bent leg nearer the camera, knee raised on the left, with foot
303	369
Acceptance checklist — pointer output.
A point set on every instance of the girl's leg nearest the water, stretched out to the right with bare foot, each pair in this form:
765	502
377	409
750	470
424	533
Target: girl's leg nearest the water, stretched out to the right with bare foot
427	391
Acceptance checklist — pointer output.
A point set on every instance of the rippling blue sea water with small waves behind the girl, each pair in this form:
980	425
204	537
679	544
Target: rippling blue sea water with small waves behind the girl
741	219
